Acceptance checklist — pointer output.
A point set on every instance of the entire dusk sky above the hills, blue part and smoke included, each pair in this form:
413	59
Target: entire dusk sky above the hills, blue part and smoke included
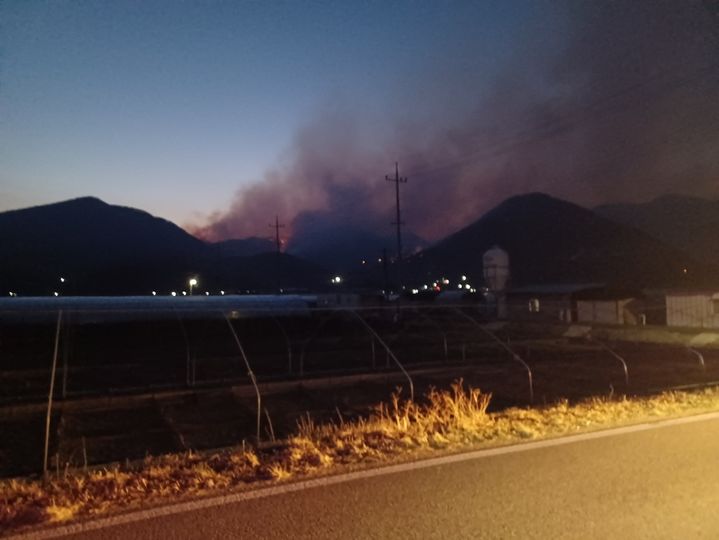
219	115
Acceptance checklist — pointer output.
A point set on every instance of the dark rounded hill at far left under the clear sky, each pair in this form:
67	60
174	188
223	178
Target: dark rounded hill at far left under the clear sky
95	246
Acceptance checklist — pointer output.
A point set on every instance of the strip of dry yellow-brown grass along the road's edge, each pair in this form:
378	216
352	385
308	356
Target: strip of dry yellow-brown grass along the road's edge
455	419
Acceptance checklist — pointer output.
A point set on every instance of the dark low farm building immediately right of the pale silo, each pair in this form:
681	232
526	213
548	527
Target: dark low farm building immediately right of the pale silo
547	303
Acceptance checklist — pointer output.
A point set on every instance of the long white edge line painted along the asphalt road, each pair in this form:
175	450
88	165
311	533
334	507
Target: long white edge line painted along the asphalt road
179	508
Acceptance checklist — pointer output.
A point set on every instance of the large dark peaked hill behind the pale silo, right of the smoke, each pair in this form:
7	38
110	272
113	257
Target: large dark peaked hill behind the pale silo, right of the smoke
550	241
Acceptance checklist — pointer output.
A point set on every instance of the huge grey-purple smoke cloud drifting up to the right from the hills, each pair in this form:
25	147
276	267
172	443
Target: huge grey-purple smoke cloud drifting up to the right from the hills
620	106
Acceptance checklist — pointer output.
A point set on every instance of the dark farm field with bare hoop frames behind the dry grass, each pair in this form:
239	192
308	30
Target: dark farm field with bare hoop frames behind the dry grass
126	386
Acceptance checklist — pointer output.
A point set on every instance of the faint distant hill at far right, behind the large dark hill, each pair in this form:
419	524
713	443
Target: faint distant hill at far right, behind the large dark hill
686	223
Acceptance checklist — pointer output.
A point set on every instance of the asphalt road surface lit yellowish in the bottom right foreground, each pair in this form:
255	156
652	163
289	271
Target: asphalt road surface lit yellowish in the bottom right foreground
656	483
